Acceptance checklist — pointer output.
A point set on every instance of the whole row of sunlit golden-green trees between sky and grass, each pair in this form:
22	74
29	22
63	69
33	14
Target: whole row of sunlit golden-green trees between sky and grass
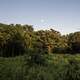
23	39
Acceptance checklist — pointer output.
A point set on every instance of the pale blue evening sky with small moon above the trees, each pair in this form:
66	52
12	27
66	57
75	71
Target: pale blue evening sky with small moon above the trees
61	15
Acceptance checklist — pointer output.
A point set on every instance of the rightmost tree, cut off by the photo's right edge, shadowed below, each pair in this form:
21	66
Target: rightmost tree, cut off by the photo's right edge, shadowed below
74	42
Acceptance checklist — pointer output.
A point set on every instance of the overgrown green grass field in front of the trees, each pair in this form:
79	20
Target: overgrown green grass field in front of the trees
58	67
